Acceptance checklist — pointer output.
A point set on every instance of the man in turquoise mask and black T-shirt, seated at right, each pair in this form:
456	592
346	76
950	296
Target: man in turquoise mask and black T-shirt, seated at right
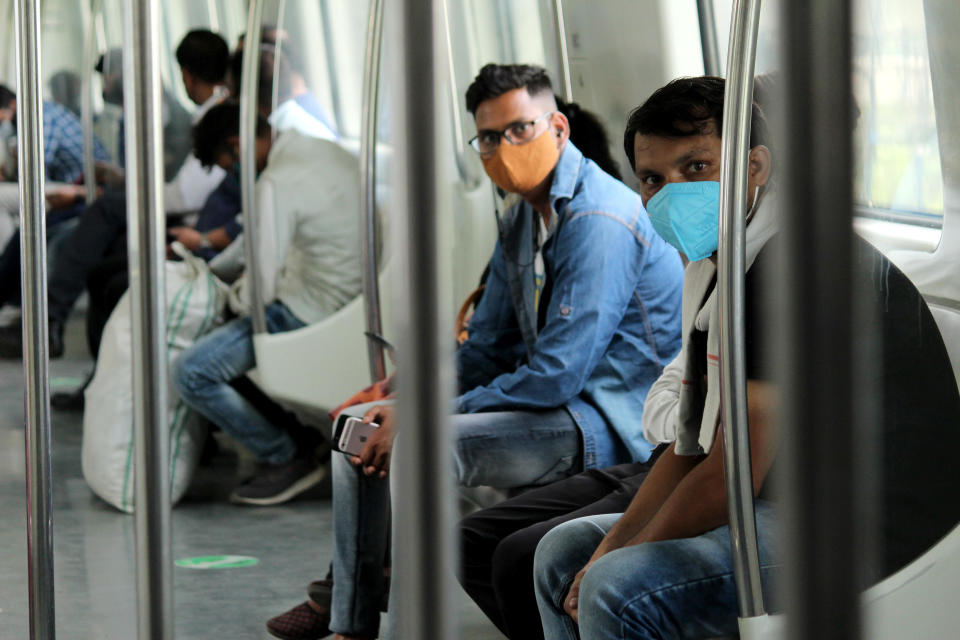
663	568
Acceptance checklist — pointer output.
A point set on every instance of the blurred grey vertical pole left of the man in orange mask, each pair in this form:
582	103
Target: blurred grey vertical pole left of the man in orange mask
424	550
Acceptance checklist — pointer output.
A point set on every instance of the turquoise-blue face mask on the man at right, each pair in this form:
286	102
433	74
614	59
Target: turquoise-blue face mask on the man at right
687	216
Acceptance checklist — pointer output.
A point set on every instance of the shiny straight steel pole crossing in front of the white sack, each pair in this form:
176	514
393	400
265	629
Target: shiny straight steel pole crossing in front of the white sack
145	241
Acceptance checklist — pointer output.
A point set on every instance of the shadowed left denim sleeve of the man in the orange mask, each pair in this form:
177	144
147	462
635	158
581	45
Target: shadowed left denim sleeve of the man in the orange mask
494	335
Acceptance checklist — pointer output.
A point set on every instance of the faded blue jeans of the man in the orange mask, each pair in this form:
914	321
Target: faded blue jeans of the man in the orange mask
504	449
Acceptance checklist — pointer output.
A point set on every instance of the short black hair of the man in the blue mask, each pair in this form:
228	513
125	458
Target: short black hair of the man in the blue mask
686	107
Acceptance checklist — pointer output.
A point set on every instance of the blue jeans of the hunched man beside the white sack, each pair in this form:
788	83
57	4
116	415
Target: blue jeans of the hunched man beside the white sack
202	376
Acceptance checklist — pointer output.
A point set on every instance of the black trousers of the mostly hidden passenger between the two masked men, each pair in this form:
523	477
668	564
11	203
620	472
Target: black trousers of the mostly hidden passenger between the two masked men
498	543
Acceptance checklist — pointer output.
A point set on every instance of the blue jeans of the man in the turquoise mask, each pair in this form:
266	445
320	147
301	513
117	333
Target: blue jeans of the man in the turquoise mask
672	589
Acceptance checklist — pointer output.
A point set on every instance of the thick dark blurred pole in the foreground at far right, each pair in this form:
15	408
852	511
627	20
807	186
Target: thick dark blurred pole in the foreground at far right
817	330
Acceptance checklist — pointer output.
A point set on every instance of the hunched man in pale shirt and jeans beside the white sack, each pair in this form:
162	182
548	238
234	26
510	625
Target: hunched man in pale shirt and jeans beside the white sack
308	208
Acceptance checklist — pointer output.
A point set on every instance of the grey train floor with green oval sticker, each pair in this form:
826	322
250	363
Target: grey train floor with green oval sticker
94	543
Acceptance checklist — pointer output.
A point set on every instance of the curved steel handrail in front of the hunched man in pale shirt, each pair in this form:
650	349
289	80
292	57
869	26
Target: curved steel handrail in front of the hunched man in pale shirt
248	165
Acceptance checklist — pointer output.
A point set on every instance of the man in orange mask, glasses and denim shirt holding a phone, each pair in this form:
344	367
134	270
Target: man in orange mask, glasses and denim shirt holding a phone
580	315
